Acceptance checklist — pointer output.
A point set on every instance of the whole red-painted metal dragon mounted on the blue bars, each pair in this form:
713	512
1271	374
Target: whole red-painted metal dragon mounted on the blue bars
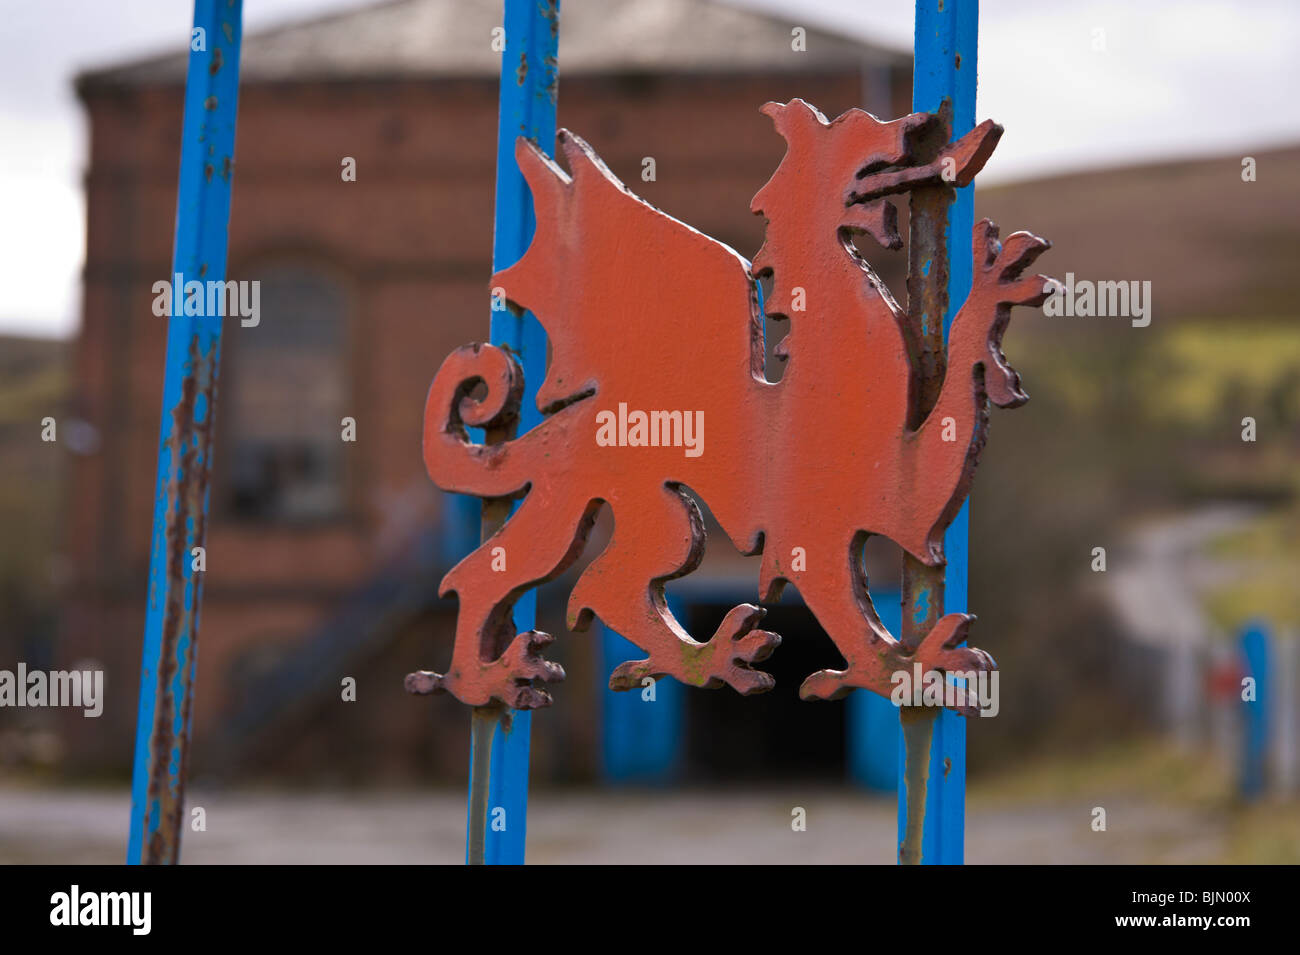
644	312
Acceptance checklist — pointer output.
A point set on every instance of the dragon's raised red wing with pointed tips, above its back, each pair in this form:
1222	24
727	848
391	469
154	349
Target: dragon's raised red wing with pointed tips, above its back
625	290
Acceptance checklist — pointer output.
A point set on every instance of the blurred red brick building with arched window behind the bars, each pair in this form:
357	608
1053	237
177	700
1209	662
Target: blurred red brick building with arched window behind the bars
323	555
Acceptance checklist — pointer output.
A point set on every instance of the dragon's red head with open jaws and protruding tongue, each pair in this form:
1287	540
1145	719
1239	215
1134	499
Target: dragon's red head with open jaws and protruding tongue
838	175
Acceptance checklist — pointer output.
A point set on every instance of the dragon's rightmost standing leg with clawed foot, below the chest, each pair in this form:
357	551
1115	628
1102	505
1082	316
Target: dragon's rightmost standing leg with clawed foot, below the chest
835	589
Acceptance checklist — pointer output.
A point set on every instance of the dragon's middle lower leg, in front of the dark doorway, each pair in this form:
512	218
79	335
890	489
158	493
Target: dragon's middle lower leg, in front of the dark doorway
657	539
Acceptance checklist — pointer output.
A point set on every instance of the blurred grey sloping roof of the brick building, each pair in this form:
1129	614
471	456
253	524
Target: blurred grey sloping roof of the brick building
335	47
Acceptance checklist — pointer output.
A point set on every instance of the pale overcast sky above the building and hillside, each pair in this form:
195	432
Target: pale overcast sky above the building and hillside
1177	79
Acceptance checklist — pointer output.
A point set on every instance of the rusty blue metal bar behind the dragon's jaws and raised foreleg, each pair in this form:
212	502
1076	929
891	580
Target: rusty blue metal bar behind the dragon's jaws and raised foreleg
933	757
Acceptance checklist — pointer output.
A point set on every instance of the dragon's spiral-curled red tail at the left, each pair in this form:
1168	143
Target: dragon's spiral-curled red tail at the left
456	463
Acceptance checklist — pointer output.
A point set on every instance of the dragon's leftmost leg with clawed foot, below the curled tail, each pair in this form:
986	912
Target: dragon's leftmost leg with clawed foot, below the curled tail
489	661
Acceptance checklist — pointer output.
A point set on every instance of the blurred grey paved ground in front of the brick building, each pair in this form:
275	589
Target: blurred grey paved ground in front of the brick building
592	827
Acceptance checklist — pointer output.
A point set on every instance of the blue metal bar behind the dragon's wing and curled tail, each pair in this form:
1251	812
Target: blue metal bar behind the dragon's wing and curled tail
500	739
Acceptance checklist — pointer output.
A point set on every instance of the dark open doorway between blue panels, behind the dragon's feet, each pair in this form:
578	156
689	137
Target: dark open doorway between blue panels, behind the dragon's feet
774	736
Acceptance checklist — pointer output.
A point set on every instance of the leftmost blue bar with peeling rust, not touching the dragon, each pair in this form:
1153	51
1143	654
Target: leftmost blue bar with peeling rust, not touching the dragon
185	444
